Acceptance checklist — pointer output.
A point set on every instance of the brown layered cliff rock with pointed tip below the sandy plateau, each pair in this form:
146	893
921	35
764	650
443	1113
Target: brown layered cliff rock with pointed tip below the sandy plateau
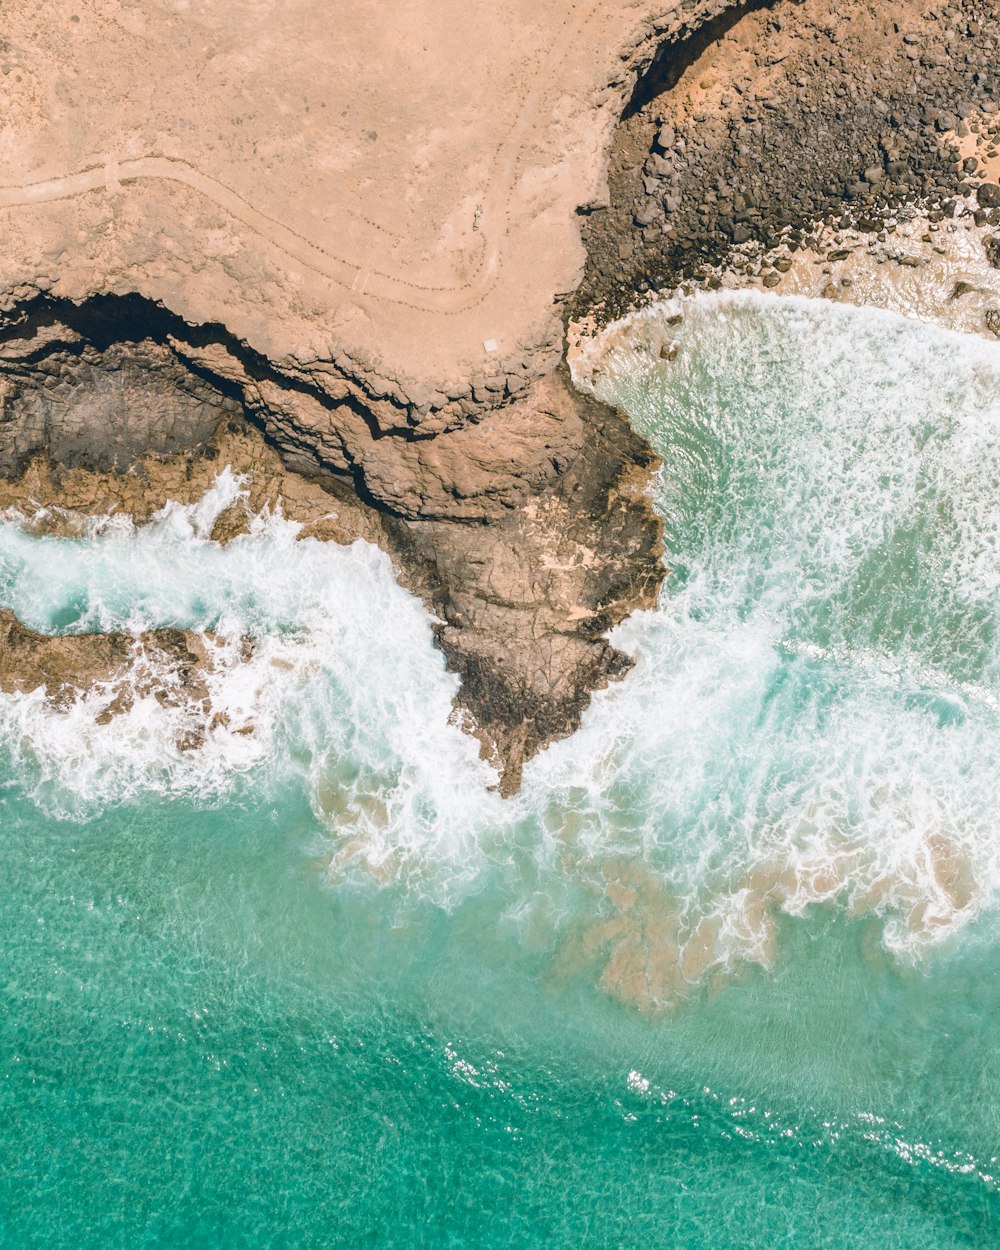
528	534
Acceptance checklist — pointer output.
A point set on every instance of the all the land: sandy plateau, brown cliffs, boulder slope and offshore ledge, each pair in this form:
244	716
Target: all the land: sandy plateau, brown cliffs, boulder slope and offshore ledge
311	249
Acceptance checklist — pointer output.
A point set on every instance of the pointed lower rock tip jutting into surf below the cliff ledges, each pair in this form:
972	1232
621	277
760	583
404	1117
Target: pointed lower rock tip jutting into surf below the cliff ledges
526	601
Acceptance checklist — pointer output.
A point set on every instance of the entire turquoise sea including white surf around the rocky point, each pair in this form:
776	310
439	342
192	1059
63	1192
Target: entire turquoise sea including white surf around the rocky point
723	974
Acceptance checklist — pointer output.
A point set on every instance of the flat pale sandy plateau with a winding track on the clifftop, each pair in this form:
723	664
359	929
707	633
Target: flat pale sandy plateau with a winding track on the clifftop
393	187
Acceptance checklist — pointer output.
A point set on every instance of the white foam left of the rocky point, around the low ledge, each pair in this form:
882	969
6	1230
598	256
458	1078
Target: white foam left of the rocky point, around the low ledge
343	687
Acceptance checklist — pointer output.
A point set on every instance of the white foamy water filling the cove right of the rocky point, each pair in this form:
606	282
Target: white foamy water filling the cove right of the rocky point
798	746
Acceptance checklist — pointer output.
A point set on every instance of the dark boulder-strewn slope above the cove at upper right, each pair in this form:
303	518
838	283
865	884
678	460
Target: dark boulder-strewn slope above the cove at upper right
784	117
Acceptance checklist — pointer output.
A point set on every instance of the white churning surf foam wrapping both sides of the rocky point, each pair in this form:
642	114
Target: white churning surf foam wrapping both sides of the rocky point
814	713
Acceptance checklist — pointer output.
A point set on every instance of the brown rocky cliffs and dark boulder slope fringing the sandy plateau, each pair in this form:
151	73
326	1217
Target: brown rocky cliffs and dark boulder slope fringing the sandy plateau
794	147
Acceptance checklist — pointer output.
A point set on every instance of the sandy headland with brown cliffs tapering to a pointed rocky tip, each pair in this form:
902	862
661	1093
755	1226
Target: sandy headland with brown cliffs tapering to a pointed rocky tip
253	239
